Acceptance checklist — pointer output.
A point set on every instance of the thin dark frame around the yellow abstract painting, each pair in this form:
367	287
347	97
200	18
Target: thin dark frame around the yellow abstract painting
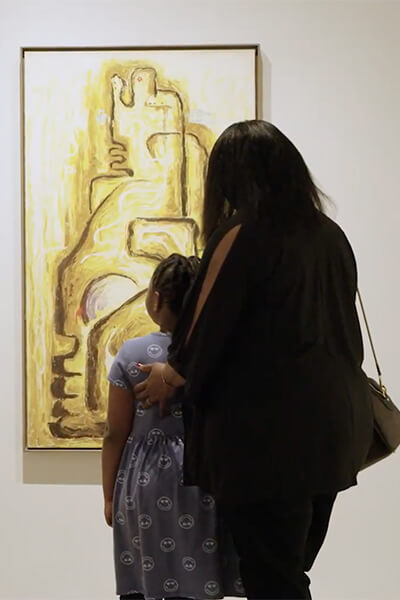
24	51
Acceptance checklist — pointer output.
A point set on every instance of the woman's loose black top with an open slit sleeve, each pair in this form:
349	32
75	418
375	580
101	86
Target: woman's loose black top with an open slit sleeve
276	401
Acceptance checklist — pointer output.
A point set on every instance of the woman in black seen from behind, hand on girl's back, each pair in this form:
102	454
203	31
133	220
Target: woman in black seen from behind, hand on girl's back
269	349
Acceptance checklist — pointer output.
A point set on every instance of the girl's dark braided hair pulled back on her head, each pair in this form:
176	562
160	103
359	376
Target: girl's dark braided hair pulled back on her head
173	278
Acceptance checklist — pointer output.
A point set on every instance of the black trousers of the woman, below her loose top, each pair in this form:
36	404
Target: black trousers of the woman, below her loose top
277	542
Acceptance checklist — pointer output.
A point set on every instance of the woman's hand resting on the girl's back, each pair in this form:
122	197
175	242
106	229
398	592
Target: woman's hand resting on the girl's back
154	390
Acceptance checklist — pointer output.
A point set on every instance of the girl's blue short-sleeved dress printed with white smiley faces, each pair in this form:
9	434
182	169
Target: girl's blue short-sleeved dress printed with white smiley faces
168	541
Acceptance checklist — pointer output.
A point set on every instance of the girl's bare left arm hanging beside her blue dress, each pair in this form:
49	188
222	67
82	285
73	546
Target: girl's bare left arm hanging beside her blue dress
120	416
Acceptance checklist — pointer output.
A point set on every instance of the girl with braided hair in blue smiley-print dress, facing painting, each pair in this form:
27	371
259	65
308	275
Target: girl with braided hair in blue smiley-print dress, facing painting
165	535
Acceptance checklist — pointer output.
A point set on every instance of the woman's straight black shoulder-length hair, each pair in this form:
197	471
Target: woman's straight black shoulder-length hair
255	168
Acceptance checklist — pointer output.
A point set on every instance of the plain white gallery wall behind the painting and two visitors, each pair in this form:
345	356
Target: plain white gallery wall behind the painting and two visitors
331	81
